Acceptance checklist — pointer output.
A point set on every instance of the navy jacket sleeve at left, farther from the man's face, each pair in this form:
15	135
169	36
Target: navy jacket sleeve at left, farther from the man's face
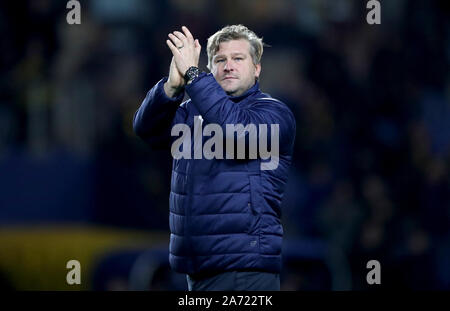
154	119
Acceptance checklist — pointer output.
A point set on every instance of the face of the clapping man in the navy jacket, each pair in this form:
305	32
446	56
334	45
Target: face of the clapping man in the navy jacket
233	67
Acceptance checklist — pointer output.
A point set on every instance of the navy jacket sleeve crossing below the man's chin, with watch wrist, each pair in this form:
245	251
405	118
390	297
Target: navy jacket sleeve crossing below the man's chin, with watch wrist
216	107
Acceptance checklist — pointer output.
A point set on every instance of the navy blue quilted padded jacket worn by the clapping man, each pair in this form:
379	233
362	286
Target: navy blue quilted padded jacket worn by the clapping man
225	214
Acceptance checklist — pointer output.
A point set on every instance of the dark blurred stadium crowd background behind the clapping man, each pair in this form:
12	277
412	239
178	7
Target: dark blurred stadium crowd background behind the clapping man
370	177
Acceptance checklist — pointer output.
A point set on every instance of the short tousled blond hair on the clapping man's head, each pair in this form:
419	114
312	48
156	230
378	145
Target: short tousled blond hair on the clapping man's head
235	32
